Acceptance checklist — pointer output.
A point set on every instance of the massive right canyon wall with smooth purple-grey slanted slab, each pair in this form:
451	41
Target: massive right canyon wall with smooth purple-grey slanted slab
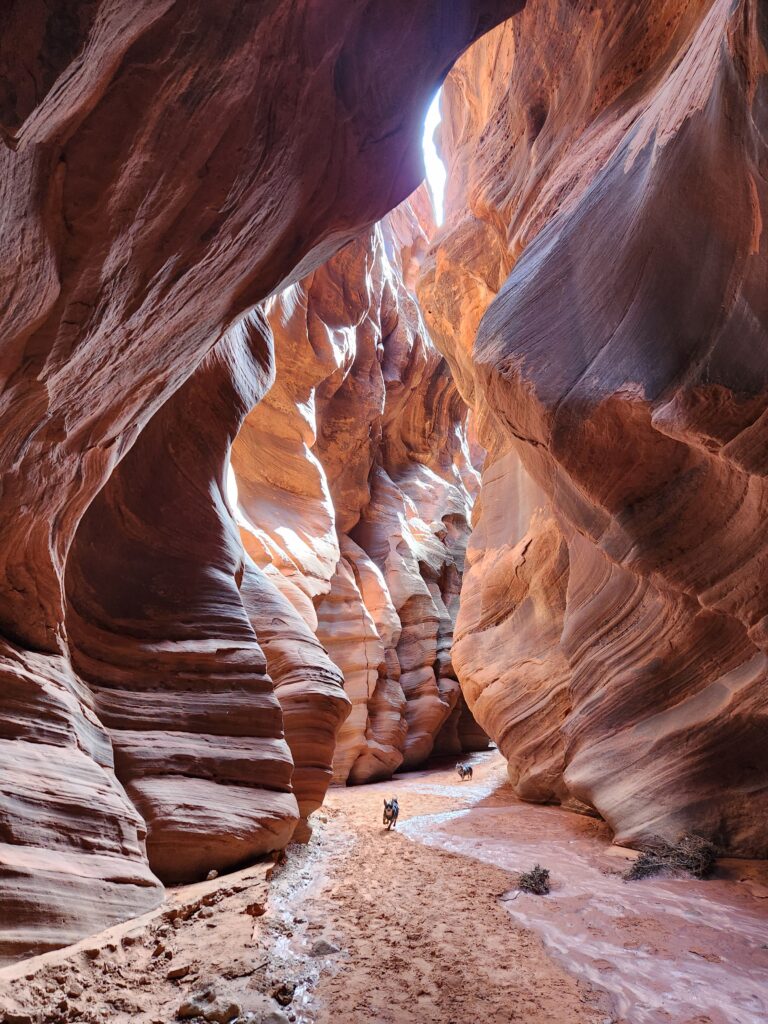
601	291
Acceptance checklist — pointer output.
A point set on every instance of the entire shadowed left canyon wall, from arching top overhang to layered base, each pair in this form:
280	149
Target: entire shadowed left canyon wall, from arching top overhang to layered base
162	175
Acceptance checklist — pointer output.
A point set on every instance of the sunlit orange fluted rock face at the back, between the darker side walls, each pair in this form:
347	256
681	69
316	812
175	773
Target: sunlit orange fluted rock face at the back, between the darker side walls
355	486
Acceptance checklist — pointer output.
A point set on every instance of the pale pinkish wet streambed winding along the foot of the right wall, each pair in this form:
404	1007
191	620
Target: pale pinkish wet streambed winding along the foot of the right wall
665	951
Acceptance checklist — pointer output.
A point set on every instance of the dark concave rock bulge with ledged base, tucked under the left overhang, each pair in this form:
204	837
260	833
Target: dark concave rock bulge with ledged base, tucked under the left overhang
158	630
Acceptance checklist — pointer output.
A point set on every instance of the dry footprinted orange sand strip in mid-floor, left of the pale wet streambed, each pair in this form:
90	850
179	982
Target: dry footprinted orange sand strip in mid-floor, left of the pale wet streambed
423	934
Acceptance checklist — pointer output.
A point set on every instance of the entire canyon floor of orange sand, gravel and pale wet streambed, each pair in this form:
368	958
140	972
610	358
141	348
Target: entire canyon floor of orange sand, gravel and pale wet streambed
425	925
